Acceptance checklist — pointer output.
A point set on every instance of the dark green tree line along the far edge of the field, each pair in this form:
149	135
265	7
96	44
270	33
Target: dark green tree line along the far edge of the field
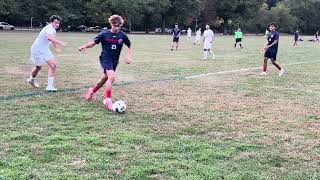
145	15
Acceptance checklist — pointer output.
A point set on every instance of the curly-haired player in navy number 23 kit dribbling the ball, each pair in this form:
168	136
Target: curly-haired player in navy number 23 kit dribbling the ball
111	41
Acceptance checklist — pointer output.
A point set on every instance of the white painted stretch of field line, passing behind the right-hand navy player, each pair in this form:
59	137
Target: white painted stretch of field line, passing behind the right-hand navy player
245	69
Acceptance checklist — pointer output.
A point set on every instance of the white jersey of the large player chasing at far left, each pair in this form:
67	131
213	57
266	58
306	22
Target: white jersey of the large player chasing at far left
42	43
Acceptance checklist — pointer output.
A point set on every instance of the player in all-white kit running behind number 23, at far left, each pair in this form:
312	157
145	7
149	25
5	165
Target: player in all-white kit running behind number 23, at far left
41	54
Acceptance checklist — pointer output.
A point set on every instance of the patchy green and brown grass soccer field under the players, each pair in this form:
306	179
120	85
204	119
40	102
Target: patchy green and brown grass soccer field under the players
225	125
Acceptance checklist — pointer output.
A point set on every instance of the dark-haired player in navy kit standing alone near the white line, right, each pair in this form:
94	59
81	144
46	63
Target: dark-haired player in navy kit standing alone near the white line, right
271	50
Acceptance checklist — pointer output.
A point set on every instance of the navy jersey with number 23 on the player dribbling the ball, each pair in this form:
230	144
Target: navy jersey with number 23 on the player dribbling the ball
111	44
